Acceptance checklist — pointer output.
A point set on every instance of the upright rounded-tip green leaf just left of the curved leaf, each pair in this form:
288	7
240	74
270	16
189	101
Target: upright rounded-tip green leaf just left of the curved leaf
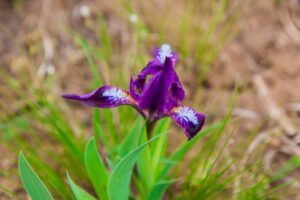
96	169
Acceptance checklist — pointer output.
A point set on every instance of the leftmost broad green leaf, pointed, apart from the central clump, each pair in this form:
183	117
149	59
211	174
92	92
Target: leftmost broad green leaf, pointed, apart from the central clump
31	181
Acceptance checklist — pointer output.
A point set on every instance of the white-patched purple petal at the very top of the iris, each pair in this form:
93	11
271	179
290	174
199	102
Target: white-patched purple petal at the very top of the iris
160	54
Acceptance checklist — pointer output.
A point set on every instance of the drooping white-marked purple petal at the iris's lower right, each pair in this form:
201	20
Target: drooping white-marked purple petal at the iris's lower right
188	119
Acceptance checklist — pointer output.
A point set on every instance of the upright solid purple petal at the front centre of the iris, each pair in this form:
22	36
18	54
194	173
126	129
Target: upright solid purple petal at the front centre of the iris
155	94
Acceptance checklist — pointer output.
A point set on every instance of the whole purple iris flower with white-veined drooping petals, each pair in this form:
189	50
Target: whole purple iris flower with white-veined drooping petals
159	97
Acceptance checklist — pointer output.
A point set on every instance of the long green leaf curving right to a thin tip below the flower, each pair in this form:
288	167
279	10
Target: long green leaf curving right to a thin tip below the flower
119	182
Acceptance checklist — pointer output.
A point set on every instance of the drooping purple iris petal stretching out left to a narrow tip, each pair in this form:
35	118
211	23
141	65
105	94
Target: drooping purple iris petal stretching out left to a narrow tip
104	97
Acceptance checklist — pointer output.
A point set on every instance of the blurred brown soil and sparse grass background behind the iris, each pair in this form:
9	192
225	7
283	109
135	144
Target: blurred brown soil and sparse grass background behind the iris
245	47
